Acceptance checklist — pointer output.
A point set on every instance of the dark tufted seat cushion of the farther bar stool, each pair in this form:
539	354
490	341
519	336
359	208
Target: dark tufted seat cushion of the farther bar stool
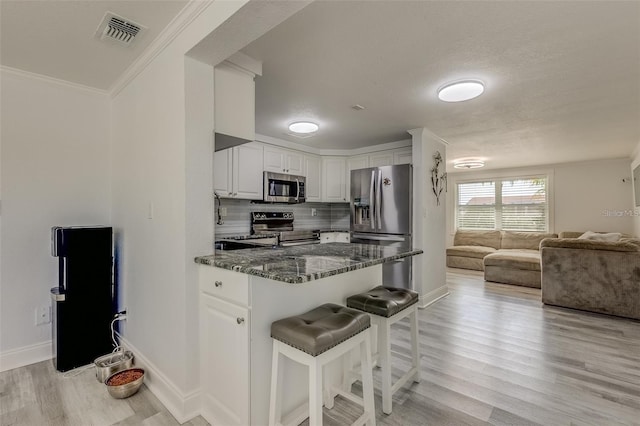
383	301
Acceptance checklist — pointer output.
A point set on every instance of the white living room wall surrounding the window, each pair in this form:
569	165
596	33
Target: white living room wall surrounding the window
581	194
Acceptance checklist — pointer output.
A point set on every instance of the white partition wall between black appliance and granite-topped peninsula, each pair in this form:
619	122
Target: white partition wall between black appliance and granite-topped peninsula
162	163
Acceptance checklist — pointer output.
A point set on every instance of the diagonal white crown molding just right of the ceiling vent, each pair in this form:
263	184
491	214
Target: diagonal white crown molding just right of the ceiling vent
190	12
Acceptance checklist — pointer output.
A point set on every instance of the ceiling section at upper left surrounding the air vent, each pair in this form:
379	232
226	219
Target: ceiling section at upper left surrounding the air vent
56	38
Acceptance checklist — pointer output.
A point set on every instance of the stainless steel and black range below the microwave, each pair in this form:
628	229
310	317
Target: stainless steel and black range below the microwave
281	223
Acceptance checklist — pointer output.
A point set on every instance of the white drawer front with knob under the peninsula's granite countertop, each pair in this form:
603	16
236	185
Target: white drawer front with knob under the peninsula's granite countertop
225	284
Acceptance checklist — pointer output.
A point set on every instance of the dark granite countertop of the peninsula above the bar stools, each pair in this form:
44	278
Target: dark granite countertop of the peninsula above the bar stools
299	264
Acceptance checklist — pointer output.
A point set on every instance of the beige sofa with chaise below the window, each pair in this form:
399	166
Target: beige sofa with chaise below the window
505	256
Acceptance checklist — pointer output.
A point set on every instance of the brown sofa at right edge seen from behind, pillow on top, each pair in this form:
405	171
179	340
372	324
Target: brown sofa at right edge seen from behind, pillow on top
595	276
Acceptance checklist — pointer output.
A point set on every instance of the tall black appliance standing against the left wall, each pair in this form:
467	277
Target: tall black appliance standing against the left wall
83	303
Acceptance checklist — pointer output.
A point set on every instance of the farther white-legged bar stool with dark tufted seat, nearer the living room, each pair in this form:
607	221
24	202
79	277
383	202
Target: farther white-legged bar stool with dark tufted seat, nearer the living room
388	305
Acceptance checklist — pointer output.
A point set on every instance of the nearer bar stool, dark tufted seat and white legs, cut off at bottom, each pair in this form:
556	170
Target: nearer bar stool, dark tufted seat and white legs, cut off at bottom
314	339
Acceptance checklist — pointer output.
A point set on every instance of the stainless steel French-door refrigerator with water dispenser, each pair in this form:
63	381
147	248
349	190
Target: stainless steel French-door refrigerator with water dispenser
381	215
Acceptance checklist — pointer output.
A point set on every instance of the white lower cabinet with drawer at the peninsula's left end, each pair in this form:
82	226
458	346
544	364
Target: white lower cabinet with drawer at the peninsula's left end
225	349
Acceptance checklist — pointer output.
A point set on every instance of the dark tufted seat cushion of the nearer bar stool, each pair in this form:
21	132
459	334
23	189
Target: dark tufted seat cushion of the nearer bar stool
320	329
